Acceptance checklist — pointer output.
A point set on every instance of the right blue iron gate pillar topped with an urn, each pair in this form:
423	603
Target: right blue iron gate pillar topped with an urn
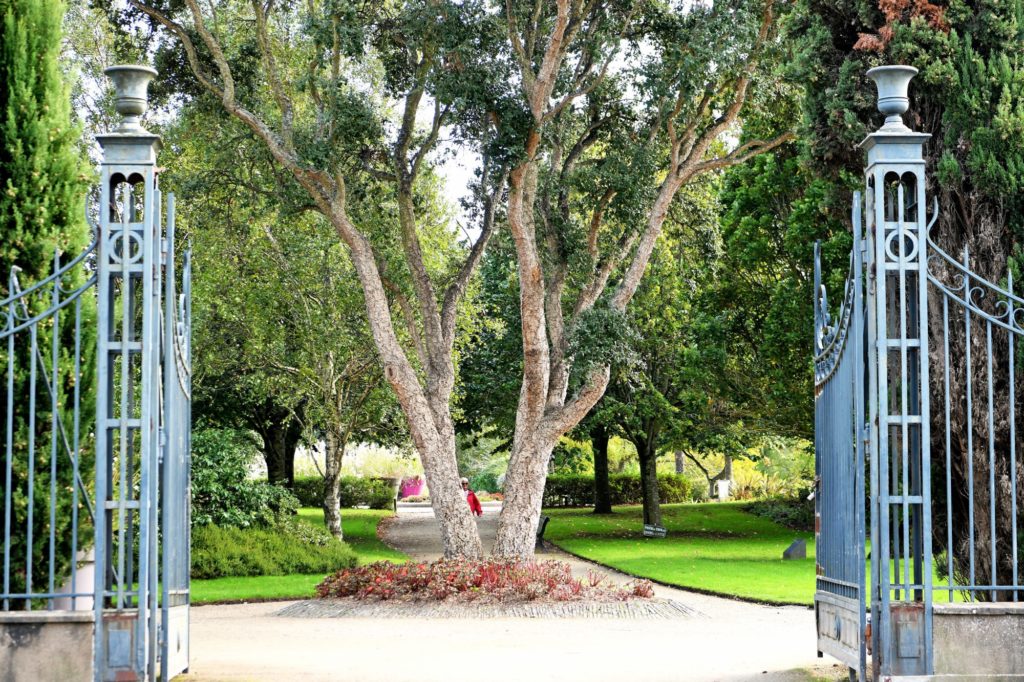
901	508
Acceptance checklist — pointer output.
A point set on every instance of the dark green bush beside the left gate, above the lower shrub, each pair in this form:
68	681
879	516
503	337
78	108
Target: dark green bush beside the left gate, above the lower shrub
223	493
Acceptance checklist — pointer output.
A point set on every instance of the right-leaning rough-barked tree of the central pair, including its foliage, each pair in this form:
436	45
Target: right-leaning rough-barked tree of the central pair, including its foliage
691	100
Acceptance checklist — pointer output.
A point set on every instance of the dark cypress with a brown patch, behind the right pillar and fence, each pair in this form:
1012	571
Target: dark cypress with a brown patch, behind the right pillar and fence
970	97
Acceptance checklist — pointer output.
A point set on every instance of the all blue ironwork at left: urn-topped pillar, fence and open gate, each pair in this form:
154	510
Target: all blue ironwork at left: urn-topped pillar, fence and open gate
139	434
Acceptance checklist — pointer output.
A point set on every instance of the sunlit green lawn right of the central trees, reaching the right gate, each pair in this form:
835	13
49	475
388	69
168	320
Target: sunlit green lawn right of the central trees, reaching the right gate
716	548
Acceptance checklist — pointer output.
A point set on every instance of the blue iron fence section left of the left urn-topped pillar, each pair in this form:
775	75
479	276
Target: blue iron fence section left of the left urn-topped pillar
32	314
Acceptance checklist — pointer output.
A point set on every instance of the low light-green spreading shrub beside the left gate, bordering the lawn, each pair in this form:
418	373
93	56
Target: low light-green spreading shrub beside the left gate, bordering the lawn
293	547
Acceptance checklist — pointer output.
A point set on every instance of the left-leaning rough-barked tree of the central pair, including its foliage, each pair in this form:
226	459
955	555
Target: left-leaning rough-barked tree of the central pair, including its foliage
330	73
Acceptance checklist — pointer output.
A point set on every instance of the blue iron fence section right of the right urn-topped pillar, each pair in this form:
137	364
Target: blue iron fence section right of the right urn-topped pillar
978	315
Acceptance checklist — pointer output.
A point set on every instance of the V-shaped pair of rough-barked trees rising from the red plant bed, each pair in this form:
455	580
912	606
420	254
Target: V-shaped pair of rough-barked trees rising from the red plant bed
538	90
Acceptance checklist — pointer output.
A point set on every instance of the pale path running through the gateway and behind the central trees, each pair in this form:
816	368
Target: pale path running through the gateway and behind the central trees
727	641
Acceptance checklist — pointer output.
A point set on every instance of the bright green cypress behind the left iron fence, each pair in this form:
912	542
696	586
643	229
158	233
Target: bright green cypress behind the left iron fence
42	186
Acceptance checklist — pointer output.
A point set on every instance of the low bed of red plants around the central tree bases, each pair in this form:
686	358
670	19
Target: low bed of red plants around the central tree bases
475	581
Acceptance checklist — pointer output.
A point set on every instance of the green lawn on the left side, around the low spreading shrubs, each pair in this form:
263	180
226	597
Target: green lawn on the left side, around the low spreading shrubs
360	527
